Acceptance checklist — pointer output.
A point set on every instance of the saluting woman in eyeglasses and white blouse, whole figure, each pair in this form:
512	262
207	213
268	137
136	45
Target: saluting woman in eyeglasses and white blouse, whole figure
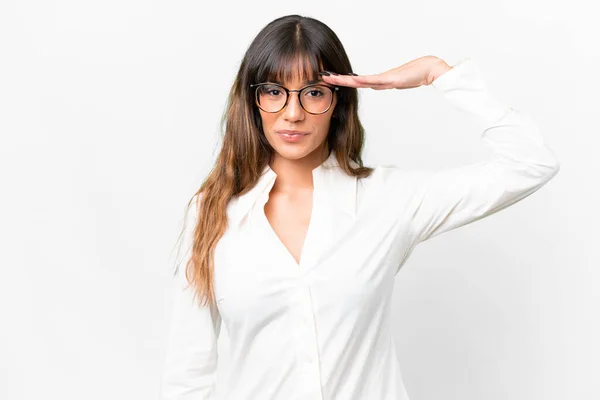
296	244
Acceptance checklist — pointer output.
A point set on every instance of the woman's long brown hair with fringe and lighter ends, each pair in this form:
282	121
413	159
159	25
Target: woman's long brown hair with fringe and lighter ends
289	47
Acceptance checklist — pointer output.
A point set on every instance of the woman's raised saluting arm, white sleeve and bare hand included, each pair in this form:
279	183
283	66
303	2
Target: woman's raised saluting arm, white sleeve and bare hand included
442	200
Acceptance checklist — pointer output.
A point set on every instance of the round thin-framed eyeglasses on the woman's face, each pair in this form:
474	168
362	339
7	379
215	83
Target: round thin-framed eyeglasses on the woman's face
314	99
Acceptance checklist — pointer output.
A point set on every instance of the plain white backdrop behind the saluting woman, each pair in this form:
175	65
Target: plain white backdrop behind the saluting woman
109	118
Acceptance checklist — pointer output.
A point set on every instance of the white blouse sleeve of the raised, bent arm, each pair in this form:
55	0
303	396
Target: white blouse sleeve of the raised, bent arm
521	163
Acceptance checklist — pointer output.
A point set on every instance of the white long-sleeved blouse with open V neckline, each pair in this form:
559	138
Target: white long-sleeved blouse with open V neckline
322	329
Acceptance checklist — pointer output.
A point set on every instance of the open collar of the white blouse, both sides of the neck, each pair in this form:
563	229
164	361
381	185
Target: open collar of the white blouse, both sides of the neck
330	182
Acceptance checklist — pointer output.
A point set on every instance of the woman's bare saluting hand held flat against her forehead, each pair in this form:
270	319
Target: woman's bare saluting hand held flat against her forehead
418	72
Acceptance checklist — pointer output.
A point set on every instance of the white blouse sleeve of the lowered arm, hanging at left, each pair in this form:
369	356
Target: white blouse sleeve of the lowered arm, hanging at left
190	366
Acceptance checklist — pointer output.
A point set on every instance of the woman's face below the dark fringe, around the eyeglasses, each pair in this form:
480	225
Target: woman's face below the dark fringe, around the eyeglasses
313	128
